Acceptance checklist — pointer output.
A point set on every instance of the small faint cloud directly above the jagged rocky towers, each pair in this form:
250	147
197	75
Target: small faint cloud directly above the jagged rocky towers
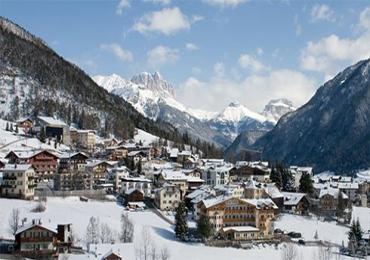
162	55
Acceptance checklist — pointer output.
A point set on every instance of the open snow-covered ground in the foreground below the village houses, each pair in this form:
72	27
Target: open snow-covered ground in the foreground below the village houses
71	210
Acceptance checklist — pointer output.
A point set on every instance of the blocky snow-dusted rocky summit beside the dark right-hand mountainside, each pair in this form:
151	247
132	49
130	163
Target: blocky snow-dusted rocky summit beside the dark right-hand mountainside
276	108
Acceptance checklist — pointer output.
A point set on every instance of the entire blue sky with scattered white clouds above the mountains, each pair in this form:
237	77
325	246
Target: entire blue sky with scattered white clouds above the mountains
213	51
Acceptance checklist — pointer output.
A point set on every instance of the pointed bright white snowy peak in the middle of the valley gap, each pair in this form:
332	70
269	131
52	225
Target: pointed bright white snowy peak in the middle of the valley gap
235	112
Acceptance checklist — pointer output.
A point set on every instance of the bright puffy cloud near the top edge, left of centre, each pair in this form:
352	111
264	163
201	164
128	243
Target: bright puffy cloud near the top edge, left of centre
167	21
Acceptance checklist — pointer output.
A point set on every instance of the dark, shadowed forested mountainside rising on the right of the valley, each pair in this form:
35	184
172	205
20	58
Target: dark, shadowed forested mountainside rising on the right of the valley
331	131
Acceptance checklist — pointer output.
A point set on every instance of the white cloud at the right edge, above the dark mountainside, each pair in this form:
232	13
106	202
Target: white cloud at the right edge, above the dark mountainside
331	54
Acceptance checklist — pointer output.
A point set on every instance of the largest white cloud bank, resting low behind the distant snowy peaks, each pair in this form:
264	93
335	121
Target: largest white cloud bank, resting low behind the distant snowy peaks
255	91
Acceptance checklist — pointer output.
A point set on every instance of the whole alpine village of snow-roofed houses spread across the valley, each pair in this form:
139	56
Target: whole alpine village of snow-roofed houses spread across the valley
231	204
